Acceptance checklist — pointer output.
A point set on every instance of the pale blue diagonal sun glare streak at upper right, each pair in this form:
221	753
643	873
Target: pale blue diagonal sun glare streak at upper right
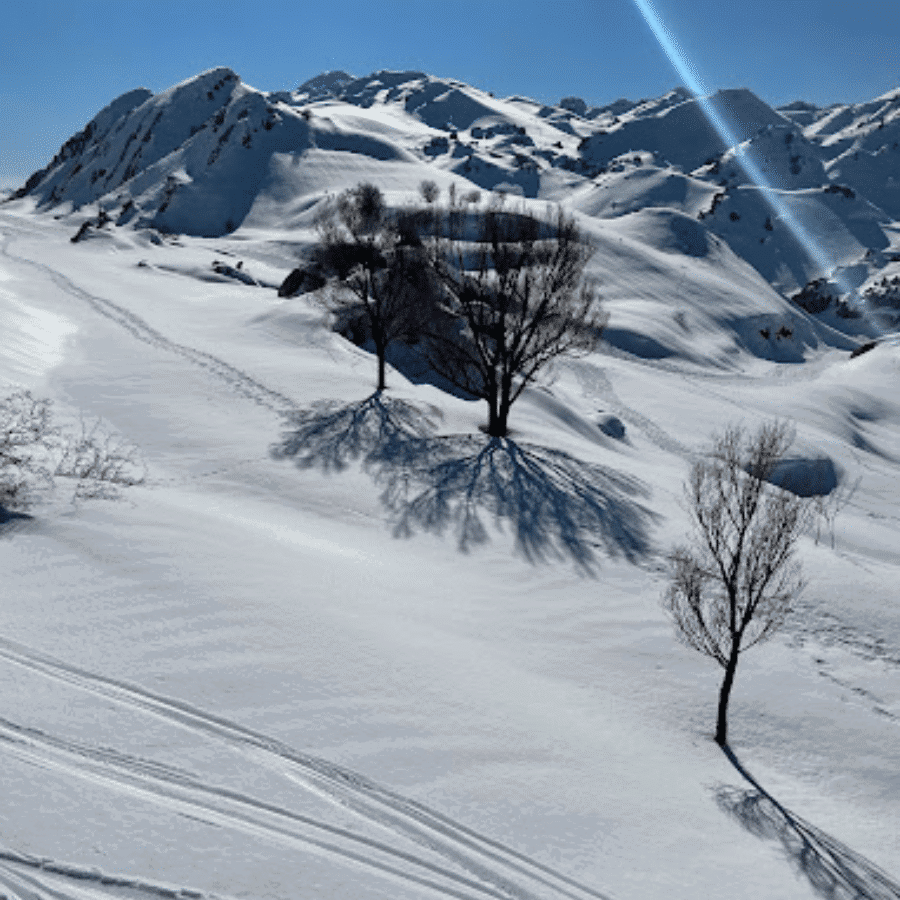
743	158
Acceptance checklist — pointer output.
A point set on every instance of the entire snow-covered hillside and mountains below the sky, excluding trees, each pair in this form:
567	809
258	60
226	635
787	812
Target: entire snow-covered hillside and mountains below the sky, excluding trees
395	660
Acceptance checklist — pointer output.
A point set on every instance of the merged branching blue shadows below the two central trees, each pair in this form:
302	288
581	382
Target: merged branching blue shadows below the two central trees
556	506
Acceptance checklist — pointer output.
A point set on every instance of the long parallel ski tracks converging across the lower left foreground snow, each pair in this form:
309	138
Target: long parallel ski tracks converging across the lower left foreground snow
494	870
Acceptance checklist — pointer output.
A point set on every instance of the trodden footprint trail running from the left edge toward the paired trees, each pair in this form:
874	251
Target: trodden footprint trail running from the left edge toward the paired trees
139	329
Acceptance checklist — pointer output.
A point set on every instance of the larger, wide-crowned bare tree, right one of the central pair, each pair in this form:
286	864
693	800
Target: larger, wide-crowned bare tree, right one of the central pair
514	299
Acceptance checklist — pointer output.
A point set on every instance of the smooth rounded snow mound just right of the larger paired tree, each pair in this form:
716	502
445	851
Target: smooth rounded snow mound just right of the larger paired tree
675	289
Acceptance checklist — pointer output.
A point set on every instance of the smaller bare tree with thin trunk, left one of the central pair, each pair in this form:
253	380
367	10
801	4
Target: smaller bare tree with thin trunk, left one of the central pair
375	263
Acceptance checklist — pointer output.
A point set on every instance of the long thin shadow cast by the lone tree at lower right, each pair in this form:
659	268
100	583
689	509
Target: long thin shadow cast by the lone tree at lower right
834	870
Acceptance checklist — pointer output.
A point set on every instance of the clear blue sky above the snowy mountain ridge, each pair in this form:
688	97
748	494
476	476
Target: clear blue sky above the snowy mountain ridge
60	63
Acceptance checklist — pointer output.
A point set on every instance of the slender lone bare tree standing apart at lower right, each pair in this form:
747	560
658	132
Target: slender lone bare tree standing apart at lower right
734	585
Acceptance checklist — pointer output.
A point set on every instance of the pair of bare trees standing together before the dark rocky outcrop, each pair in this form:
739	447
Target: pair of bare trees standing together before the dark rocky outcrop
491	295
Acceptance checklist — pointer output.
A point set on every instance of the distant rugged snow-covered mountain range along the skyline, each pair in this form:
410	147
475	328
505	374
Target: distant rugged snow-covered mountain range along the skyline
212	155
